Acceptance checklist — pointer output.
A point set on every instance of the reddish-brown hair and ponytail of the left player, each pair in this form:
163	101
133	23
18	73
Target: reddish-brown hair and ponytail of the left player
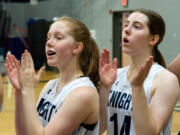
89	57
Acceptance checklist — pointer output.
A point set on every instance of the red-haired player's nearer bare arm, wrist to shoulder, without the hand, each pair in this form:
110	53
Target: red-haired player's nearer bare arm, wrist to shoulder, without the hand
66	120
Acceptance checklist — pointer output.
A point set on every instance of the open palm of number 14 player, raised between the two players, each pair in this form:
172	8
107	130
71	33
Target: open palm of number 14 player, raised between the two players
106	72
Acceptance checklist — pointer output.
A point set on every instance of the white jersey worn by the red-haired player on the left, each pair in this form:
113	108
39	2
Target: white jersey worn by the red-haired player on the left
51	100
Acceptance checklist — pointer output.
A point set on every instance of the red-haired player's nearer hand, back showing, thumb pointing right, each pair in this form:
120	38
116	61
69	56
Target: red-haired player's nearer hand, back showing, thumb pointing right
27	75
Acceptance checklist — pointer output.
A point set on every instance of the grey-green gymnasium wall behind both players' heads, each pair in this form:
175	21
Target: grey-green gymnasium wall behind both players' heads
97	16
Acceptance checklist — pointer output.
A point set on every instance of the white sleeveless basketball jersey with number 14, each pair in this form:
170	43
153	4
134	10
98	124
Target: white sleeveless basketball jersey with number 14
119	110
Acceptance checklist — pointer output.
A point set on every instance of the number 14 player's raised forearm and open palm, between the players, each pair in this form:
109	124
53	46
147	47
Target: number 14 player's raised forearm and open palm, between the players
107	76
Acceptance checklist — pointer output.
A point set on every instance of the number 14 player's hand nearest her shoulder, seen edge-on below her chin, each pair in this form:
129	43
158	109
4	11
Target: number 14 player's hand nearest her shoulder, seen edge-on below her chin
138	79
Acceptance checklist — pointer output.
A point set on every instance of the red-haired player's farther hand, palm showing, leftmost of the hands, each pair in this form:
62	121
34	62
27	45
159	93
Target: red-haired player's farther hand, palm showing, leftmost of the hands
12	69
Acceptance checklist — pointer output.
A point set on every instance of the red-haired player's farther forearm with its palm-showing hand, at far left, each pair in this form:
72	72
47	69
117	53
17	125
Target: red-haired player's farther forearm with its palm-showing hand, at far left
12	68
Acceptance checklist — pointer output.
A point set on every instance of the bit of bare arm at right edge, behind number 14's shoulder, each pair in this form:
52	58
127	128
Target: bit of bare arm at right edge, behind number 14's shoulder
174	67
